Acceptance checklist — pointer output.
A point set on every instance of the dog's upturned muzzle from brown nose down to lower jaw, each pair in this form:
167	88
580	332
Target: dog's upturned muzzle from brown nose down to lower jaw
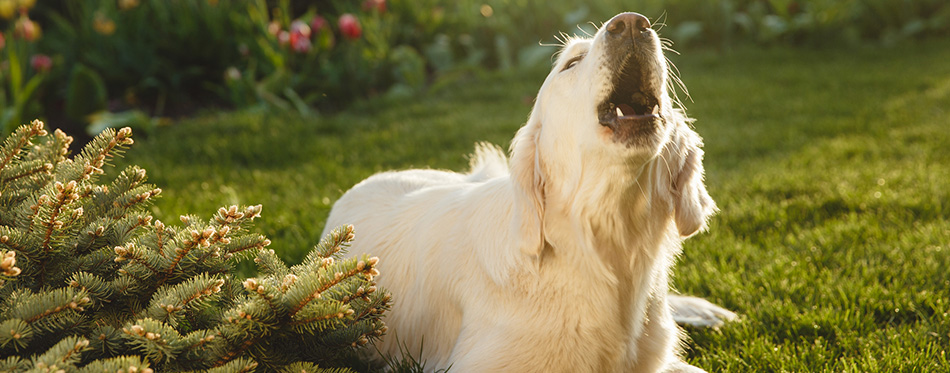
632	107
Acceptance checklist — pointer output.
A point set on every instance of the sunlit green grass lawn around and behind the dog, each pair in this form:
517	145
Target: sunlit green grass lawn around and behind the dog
831	168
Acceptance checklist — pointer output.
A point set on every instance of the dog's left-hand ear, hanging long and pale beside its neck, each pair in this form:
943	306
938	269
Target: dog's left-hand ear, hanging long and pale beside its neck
528	181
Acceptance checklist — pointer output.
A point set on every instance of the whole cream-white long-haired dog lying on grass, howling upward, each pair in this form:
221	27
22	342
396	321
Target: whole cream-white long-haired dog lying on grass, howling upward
556	260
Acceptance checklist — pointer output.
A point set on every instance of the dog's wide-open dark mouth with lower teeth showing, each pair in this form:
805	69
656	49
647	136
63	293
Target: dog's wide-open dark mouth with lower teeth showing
628	104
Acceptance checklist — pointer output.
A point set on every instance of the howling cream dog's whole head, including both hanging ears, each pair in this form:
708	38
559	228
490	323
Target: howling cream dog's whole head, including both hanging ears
605	113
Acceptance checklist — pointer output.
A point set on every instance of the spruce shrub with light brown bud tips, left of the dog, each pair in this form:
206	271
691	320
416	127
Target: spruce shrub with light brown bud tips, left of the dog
89	281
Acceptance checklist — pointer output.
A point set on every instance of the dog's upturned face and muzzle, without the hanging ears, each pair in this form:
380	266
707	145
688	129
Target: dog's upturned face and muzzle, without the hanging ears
616	82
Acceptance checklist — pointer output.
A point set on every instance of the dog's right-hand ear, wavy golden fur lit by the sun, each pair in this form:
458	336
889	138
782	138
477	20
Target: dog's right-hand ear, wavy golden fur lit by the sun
682	180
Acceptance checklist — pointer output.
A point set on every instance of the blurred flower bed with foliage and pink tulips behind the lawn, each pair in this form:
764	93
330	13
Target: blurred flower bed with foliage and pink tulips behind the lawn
90	64
